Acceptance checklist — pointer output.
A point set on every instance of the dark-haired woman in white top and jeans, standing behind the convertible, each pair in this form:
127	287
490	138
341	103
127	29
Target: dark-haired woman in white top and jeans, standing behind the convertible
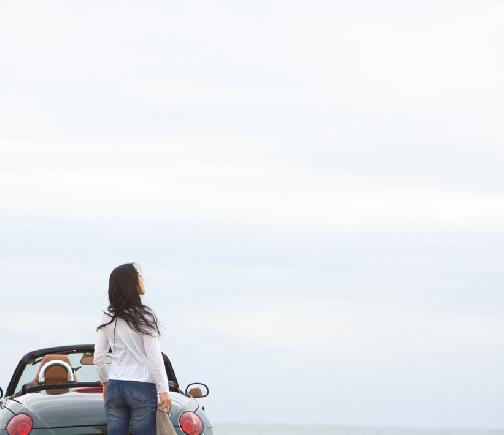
137	373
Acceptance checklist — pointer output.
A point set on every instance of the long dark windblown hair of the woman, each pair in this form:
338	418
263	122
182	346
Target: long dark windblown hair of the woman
125	303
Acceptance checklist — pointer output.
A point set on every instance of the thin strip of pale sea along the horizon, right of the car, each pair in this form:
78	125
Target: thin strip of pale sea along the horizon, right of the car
241	429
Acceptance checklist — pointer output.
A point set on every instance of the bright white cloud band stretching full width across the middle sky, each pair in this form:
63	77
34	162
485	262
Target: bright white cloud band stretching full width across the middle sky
242	193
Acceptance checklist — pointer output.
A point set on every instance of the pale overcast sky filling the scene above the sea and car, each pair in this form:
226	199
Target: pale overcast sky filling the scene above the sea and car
314	191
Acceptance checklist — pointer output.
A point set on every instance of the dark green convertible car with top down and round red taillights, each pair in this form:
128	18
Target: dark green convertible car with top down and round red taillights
56	391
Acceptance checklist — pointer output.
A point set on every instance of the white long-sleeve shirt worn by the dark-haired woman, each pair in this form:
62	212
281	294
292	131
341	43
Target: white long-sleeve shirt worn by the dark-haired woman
135	356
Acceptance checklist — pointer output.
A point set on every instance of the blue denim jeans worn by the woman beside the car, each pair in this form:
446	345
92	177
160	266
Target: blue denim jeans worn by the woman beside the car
130	403
